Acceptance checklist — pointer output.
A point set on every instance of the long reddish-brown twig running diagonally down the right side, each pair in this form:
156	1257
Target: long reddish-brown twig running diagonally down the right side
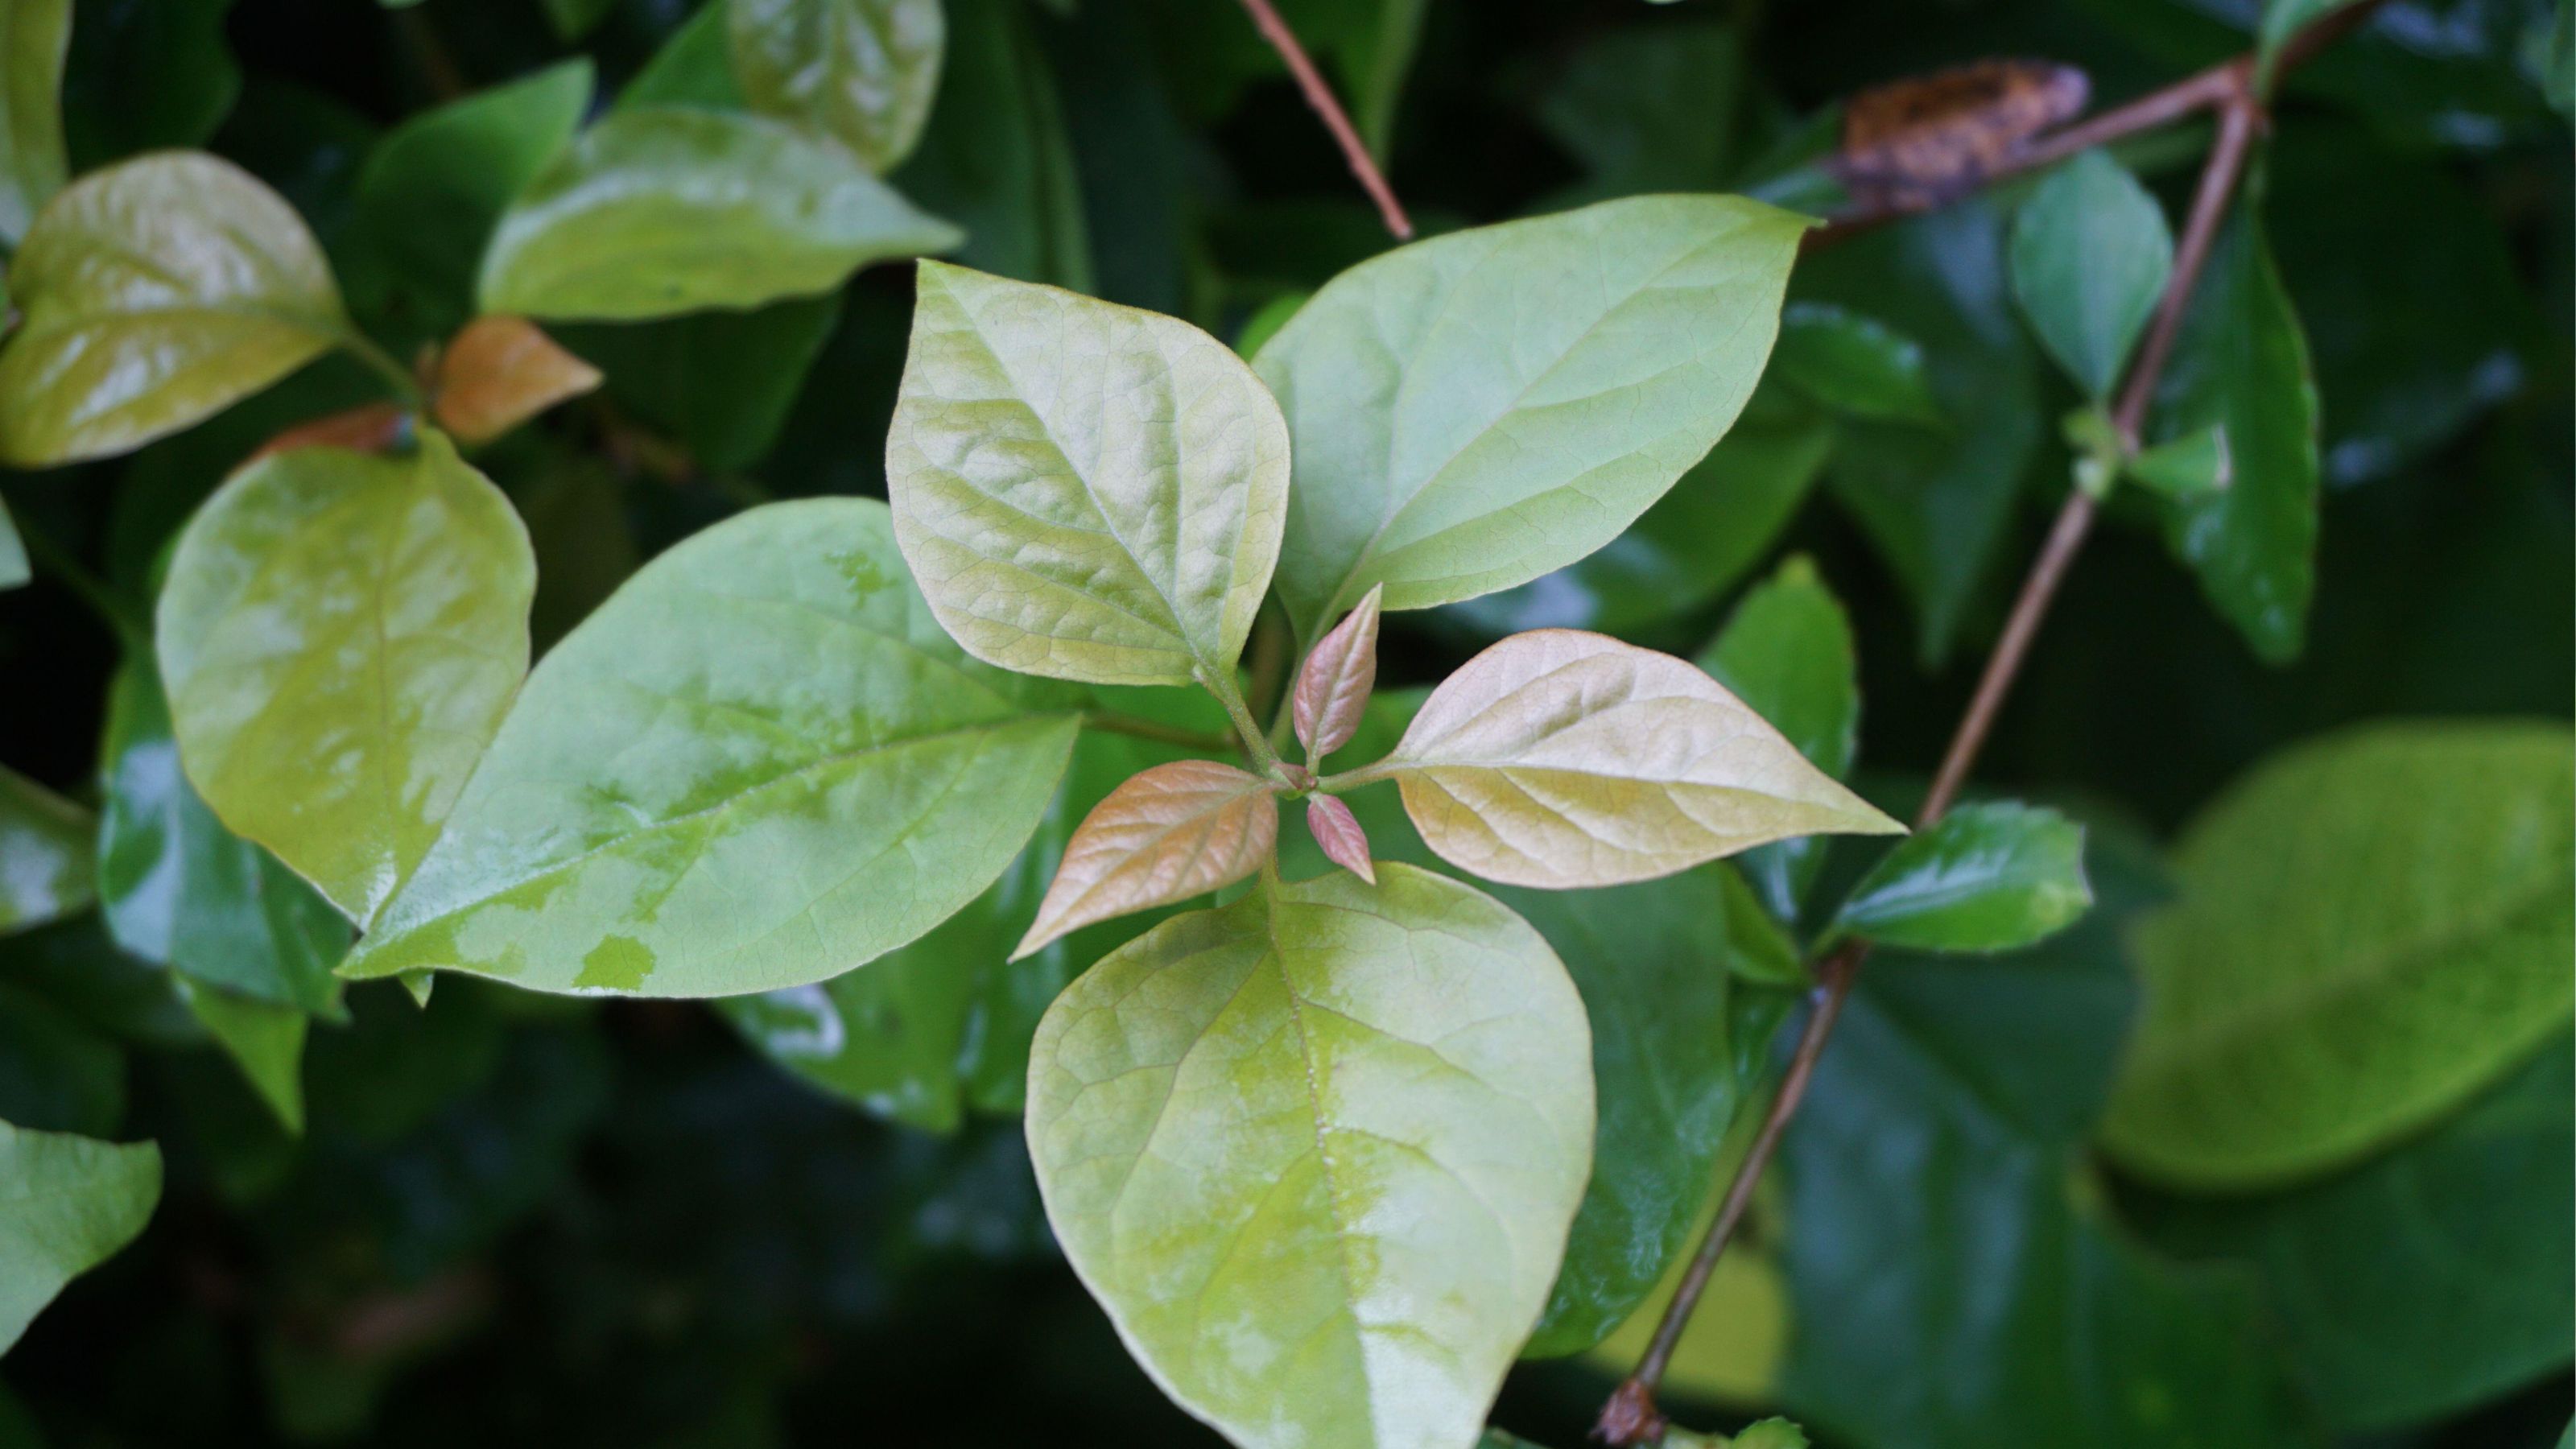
1632	1414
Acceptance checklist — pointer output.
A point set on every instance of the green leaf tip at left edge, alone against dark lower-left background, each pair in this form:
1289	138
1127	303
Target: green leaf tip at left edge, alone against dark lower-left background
66	1208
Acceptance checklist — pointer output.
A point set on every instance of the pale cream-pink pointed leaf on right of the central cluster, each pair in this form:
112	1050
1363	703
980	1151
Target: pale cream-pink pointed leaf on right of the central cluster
1562	759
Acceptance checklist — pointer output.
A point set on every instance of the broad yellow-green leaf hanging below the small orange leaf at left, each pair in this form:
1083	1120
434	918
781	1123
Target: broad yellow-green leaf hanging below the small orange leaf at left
341	636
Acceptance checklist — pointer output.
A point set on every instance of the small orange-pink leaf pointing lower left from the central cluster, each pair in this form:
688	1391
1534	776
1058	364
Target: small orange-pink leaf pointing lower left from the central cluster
1163	837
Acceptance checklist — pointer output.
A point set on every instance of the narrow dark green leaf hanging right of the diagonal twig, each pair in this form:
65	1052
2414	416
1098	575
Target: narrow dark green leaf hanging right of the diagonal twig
2242	365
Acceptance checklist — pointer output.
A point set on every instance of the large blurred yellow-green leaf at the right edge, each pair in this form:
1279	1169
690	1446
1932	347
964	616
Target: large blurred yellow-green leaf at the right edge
2371	929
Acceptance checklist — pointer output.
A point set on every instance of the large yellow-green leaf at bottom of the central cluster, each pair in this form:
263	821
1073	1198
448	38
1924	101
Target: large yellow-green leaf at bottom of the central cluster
1318	1151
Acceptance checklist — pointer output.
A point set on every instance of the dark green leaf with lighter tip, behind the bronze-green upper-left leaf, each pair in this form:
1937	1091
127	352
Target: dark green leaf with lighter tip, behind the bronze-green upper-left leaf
434	190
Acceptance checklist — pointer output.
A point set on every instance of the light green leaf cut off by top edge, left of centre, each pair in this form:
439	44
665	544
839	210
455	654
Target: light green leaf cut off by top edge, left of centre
854	71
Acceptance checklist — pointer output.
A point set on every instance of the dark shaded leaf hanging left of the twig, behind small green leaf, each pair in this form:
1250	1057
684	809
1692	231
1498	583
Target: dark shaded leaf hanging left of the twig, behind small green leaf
1936	501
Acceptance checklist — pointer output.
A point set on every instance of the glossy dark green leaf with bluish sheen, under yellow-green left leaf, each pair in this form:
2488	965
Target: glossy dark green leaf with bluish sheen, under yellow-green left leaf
187	893
